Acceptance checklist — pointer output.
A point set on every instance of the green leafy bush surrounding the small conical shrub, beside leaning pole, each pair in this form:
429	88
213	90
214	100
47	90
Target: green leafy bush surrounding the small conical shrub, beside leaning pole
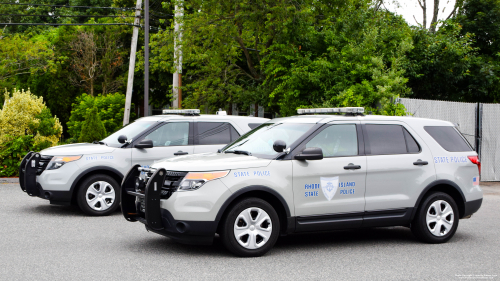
110	108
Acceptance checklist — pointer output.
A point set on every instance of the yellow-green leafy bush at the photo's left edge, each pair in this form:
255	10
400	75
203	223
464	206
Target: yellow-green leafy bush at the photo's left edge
26	114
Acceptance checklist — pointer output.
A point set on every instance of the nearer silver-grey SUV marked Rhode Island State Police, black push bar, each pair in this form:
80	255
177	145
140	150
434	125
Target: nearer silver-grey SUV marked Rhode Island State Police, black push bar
312	173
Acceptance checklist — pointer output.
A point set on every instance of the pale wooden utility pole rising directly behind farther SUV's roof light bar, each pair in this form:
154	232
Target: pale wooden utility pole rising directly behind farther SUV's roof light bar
176	89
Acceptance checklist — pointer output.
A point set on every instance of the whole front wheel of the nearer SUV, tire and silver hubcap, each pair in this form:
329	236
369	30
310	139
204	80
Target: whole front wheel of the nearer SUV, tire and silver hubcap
250	228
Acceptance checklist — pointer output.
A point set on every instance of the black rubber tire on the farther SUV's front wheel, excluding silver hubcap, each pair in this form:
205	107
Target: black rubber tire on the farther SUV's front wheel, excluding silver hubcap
82	194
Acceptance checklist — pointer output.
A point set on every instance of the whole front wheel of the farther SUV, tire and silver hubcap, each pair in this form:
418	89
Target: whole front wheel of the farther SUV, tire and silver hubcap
98	195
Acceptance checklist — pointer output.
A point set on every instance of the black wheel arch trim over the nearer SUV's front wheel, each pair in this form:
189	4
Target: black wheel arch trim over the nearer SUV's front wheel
264	193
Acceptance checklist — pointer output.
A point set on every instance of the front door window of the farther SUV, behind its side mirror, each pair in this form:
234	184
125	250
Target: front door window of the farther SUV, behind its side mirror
170	134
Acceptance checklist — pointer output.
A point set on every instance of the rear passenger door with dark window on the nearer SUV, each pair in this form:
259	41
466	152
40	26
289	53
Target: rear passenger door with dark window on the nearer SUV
399	165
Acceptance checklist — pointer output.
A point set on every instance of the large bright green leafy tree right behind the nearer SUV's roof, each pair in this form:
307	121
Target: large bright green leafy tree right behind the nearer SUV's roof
348	57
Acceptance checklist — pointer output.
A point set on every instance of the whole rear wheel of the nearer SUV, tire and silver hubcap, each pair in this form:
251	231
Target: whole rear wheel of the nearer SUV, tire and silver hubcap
437	219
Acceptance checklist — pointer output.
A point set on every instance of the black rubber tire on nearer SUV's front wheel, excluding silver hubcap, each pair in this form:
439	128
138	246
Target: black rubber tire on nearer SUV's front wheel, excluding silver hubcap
227	234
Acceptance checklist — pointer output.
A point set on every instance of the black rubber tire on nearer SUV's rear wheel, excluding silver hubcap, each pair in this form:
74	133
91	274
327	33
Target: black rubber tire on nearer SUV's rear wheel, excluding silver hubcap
419	226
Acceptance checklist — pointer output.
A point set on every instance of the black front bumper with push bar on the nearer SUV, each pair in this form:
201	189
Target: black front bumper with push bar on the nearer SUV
144	206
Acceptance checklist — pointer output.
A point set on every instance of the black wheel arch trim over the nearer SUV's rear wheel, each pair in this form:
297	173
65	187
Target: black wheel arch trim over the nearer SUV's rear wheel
447	187
